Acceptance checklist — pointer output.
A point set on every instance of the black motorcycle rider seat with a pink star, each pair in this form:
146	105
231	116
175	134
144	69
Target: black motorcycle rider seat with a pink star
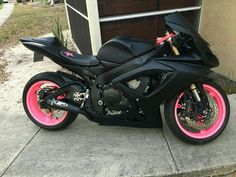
77	59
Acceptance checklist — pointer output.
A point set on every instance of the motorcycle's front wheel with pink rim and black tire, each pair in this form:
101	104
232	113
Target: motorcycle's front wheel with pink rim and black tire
200	129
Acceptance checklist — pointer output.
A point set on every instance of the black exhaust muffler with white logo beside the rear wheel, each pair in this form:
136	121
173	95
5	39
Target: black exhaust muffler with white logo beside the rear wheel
62	105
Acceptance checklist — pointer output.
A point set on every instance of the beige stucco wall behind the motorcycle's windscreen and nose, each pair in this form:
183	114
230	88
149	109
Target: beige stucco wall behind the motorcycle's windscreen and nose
218	27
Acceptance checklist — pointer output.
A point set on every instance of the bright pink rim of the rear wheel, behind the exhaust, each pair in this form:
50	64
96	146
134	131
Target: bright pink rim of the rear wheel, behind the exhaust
34	108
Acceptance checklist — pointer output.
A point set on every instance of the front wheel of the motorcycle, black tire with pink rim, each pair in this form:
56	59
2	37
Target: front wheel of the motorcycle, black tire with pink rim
219	119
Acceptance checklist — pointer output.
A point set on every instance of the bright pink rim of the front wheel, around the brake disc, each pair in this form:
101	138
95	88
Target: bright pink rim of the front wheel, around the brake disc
219	120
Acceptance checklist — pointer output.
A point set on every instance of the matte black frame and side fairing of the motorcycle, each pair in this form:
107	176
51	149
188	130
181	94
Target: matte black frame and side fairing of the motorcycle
179	76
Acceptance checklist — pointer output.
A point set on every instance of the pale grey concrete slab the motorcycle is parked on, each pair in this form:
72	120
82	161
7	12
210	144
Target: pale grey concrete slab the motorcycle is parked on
86	149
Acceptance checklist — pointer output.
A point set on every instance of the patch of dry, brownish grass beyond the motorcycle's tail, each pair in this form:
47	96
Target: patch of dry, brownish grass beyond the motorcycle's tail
30	21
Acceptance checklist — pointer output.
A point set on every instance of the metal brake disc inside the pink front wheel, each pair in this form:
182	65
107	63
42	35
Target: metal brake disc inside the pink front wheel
209	121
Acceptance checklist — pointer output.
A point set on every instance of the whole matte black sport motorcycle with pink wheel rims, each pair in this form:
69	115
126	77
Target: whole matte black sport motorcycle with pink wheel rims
128	80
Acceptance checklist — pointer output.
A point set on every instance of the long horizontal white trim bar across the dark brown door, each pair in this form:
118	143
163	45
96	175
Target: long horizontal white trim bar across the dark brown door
146	14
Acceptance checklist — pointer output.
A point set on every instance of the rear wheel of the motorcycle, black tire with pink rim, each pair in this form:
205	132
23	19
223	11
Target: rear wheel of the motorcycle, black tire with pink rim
41	118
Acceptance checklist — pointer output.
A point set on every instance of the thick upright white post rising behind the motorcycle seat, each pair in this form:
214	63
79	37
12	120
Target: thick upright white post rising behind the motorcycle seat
94	25
